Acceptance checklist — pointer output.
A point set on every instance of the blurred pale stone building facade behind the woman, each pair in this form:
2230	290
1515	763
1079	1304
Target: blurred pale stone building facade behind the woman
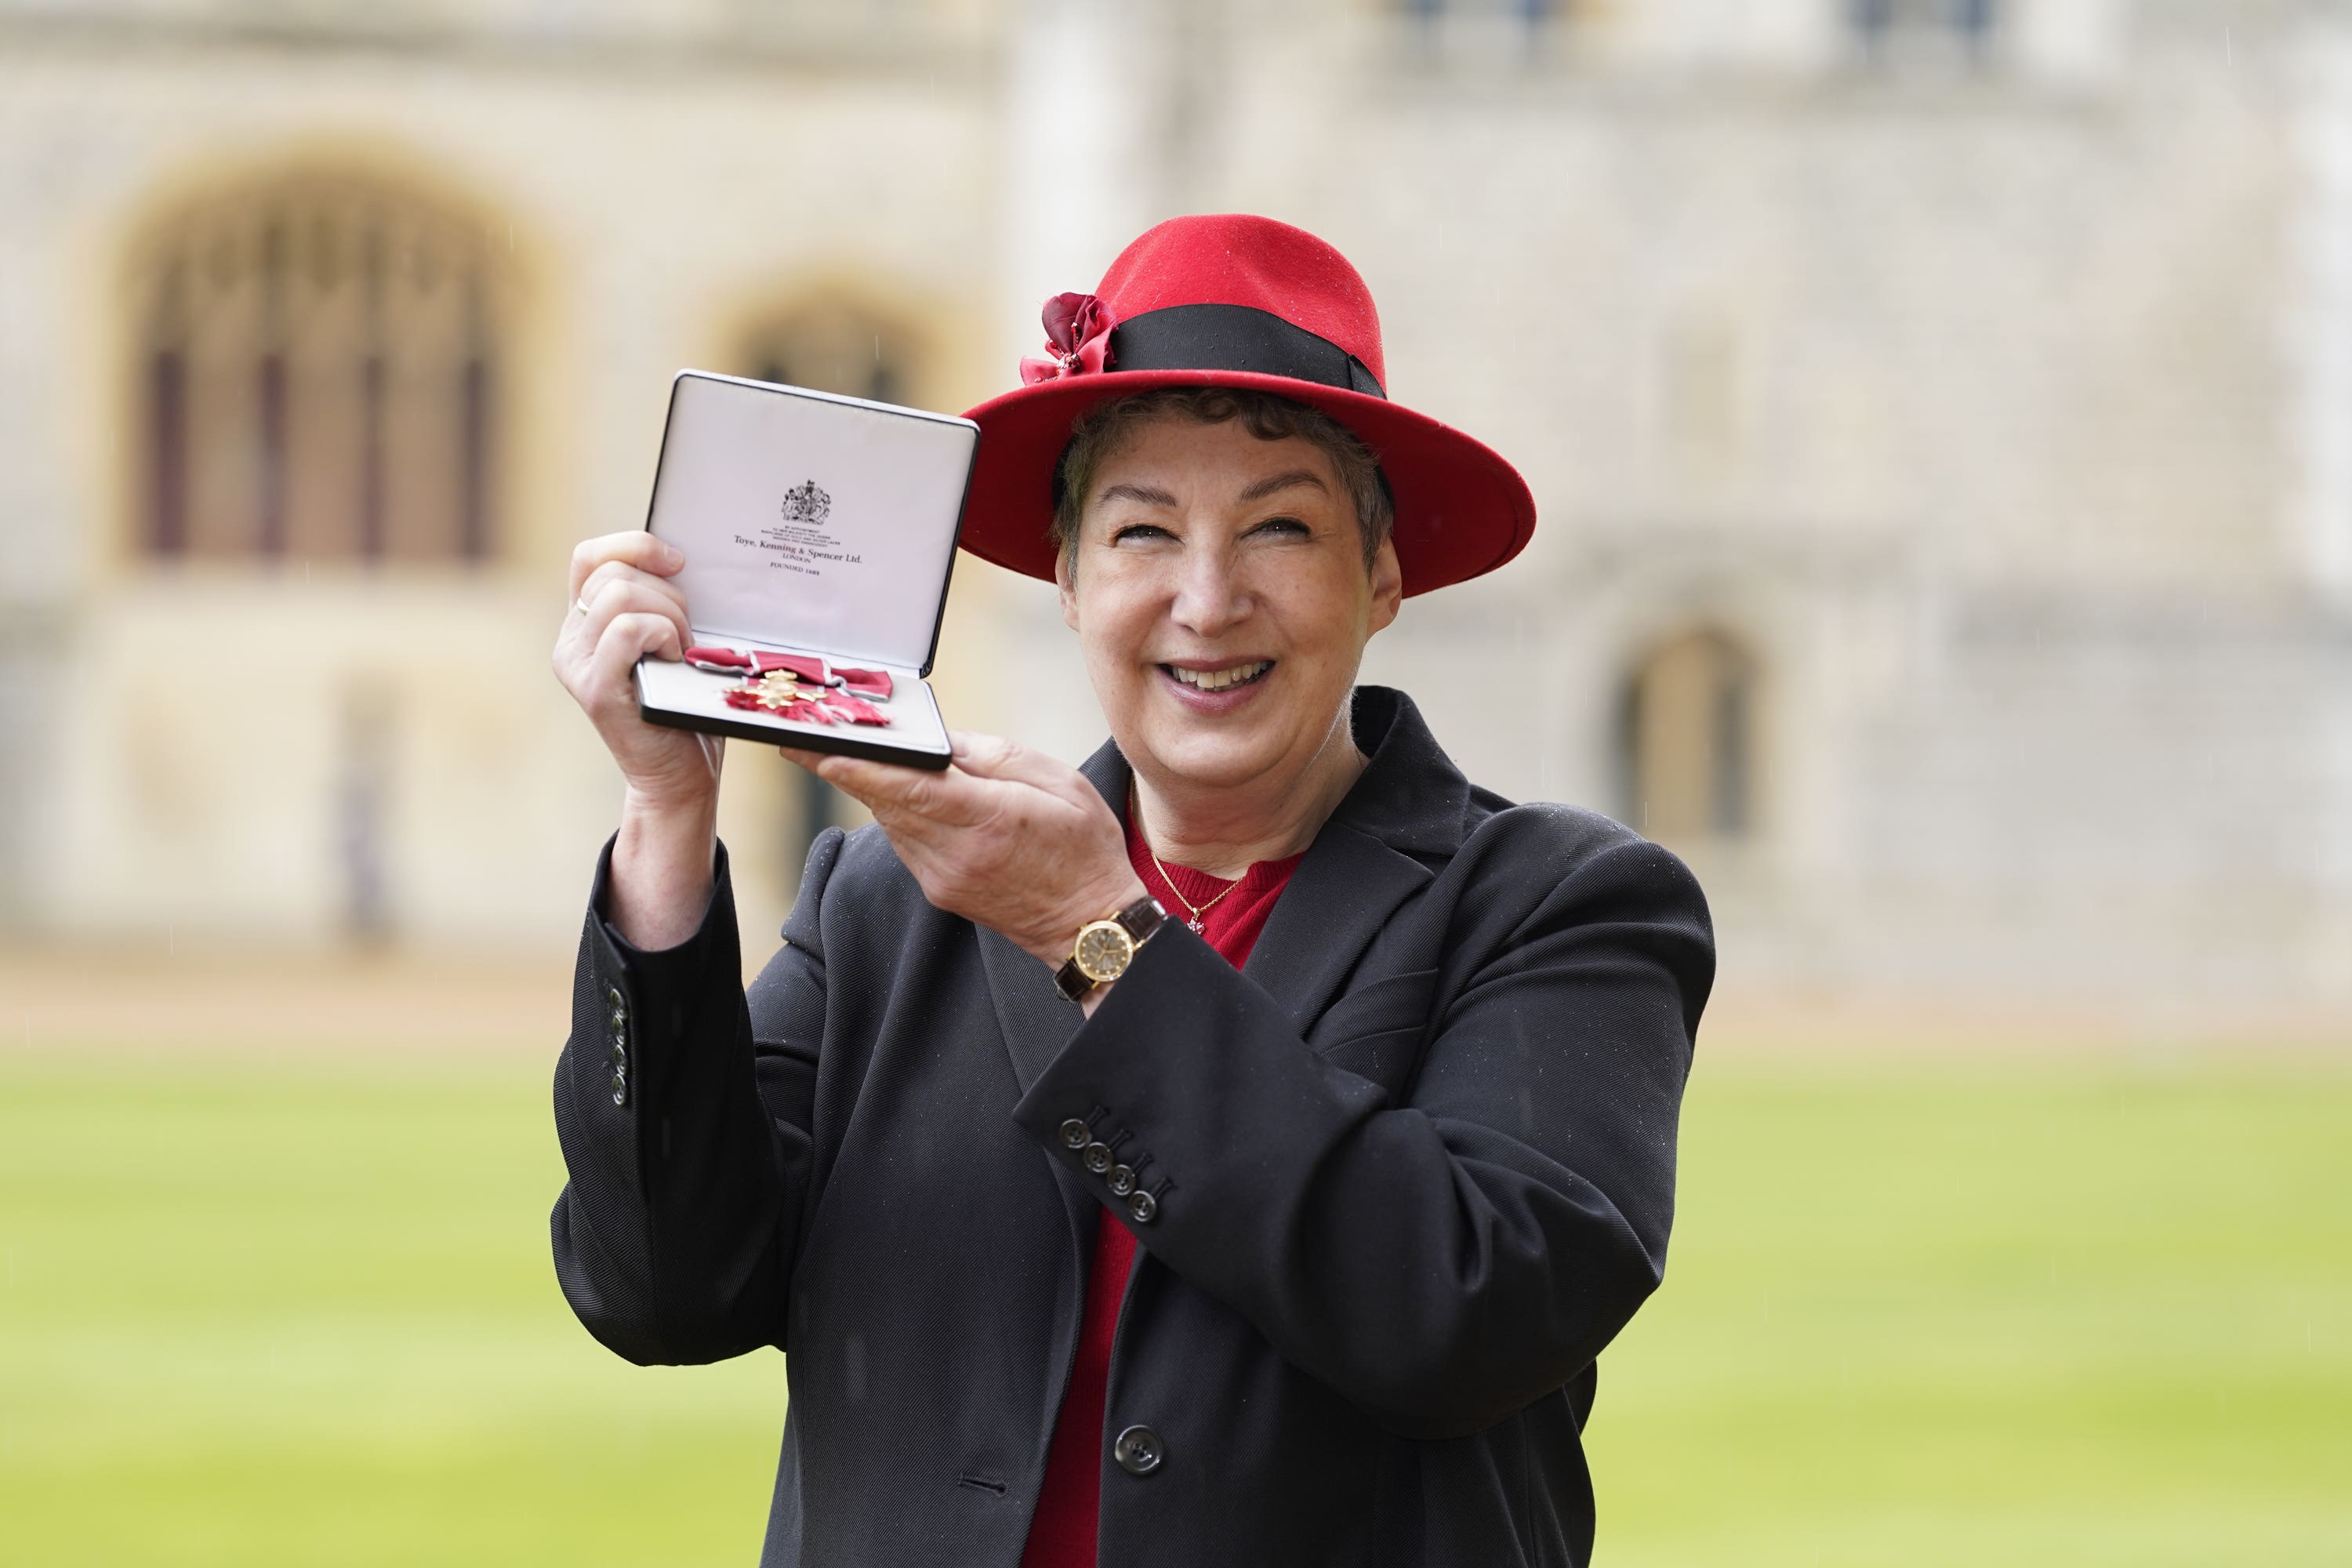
1939	413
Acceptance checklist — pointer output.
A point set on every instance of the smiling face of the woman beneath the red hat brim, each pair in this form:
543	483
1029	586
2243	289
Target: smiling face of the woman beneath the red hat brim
1222	601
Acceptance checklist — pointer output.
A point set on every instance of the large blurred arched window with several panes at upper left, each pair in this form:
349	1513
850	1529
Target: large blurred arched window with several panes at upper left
319	377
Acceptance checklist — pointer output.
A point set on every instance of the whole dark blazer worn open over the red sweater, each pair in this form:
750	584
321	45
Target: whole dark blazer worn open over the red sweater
1408	1174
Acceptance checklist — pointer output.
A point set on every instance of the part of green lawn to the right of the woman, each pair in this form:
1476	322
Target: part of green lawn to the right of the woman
1996	1313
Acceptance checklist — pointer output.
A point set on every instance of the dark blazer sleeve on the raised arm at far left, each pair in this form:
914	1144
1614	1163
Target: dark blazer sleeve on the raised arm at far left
686	1132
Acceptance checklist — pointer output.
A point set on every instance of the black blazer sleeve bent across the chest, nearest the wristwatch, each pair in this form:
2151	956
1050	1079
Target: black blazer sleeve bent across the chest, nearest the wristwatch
1452	1259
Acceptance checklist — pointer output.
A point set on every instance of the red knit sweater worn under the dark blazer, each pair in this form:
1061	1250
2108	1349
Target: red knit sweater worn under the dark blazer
1062	1534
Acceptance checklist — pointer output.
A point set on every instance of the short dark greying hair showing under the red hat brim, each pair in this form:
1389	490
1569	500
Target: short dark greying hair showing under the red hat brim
1102	429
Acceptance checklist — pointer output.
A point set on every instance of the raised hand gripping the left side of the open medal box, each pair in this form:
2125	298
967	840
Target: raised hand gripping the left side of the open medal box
624	605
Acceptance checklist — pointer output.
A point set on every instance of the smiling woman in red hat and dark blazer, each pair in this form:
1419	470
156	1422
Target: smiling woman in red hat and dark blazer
1292	1240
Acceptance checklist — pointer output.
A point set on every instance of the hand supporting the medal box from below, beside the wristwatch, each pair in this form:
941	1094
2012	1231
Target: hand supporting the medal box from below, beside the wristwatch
1008	838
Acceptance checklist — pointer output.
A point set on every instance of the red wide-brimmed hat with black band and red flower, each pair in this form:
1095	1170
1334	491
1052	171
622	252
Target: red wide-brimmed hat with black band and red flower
1252	304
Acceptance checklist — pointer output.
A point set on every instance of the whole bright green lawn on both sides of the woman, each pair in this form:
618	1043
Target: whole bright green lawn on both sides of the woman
1920	1313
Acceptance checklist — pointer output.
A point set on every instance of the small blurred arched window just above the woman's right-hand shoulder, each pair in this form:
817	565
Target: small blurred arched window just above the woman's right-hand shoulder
1688	739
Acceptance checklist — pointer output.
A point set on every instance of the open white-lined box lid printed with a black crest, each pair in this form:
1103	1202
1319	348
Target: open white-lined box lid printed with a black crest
810	521
